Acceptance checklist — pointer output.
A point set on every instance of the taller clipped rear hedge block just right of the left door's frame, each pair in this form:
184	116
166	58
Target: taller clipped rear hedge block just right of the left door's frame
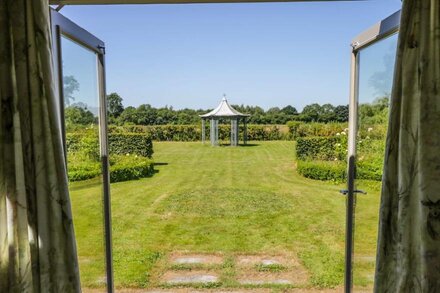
130	143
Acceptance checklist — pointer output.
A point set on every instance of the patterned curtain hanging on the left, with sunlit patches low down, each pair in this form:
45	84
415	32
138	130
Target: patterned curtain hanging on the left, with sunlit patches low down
37	243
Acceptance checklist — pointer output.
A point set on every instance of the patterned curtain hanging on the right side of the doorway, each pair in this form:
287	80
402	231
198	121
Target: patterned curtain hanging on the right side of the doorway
408	257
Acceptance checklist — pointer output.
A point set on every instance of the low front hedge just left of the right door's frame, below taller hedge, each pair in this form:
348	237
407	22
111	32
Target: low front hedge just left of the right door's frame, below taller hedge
323	170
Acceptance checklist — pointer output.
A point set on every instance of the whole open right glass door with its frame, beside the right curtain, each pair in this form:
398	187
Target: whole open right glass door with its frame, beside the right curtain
373	59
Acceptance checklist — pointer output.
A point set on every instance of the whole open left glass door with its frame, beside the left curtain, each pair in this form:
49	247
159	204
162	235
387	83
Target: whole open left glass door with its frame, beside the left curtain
79	68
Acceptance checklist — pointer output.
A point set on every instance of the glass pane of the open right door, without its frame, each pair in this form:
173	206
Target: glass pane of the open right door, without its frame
376	68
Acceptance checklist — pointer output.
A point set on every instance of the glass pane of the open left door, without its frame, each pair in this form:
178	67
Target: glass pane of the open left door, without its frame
81	108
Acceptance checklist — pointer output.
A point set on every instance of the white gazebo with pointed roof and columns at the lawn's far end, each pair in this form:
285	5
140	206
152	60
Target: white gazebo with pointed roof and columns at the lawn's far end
224	111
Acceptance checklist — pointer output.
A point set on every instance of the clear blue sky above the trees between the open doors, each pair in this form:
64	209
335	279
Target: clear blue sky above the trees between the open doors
266	54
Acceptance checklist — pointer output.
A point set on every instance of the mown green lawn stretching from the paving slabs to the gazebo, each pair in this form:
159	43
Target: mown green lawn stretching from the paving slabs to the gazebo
243	200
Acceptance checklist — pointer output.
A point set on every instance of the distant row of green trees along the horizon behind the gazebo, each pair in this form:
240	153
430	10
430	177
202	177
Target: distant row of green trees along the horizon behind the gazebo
147	115
